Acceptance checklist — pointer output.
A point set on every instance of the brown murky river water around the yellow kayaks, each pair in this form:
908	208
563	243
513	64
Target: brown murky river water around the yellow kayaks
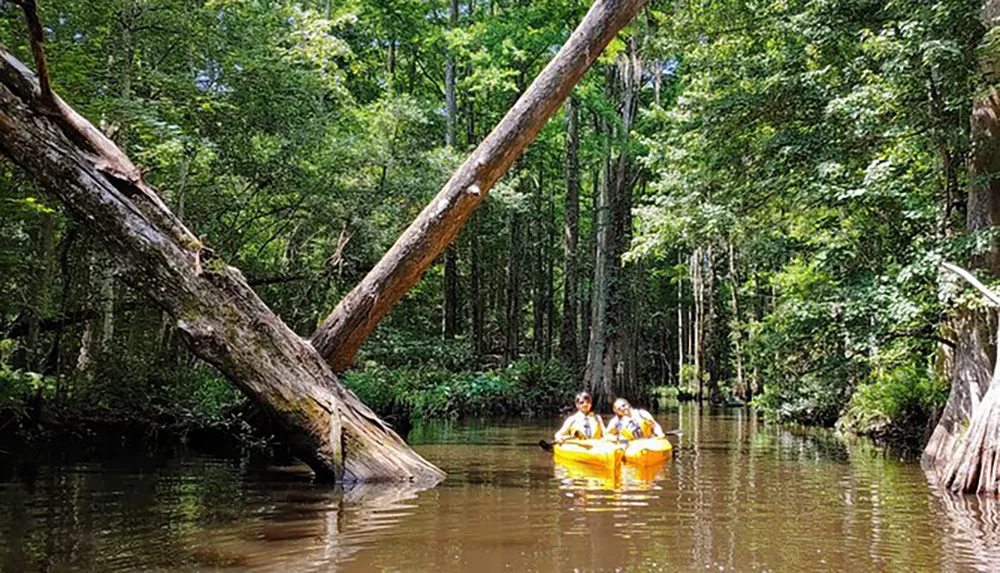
738	495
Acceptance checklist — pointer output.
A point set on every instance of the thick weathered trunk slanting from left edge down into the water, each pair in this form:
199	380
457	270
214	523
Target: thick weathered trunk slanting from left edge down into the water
221	317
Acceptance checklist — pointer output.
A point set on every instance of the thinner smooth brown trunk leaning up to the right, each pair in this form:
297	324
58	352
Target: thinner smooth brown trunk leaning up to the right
350	323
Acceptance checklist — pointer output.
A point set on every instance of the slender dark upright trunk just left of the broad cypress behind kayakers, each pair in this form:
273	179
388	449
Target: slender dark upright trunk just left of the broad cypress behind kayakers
571	232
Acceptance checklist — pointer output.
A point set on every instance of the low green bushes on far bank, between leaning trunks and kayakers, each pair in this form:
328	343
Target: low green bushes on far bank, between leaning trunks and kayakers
524	388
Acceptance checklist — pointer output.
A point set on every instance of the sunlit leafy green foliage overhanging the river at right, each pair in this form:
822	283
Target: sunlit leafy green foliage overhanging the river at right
816	140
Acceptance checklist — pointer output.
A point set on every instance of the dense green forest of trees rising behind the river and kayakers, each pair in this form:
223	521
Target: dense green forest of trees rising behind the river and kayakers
742	200
